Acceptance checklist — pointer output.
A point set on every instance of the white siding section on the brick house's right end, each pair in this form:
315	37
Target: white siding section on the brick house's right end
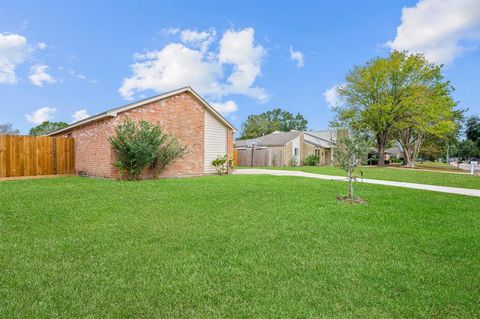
215	141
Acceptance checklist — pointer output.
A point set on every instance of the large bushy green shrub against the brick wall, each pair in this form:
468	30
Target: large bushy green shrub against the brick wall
143	145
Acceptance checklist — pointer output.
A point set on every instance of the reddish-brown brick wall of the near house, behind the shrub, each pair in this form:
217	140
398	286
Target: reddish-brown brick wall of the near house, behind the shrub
181	115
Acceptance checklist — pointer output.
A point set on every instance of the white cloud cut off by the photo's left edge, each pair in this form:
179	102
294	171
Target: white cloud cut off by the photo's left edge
14	49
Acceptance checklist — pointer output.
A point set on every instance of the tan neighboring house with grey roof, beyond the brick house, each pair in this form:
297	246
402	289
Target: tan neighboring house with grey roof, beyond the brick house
286	148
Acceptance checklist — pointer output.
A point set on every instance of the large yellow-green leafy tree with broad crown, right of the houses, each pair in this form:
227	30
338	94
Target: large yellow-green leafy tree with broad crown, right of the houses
402	96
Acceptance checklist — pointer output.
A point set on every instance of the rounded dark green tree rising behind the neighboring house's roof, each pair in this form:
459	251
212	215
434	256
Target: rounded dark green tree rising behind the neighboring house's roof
275	120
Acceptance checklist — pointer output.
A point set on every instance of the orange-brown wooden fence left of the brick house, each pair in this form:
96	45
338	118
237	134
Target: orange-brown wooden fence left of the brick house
36	155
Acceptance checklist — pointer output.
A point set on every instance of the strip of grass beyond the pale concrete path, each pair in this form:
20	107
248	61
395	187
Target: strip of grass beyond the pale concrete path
395	174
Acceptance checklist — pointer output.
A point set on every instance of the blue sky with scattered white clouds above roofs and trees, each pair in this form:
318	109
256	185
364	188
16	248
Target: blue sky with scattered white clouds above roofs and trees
60	58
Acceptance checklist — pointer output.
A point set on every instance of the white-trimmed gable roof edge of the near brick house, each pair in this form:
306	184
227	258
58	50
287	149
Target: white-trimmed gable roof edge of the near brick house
113	112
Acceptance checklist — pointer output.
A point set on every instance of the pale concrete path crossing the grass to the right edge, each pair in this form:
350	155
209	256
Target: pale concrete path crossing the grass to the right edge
433	188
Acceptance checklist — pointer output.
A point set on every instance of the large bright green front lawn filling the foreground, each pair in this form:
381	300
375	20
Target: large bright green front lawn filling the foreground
235	246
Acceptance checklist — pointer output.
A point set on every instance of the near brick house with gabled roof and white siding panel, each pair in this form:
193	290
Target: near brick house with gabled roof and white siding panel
182	113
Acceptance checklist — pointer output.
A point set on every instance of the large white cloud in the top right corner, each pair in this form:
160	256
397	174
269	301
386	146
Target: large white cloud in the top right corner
441	29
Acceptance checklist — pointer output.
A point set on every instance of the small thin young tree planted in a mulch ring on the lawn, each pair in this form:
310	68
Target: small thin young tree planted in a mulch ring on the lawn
351	150
